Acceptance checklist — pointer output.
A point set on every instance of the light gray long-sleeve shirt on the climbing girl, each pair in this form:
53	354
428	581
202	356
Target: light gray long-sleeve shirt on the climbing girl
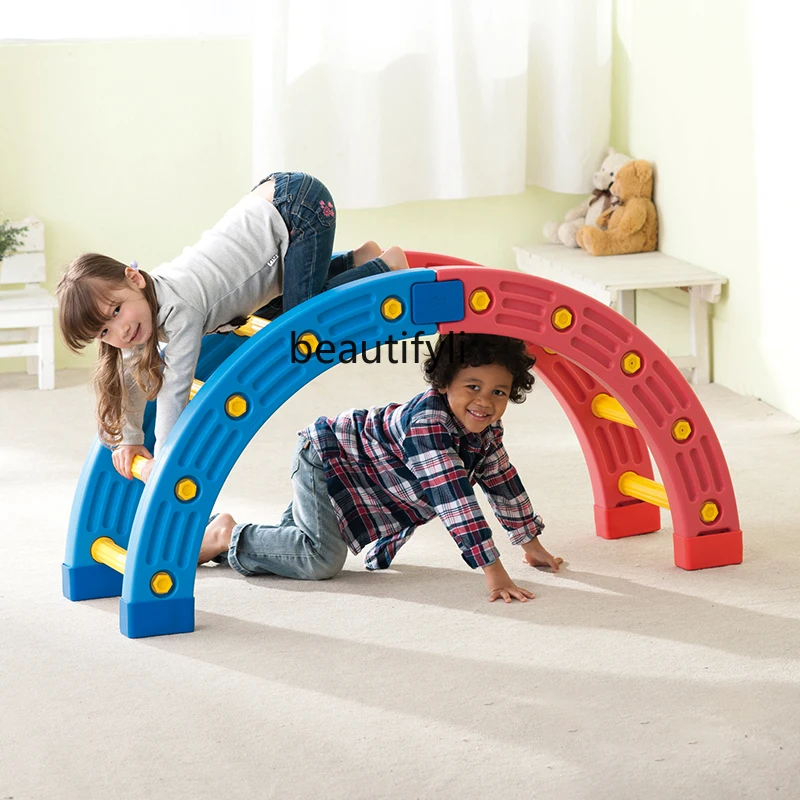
234	269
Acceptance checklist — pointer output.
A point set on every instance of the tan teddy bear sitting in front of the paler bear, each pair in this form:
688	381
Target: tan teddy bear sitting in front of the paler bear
631	226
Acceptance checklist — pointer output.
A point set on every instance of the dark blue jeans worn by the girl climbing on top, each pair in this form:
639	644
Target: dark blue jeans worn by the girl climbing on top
307	208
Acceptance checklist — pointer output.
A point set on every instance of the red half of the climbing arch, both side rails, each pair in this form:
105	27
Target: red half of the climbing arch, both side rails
588	357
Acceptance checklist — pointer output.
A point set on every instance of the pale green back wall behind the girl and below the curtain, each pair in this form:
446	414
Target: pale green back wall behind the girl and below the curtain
133	148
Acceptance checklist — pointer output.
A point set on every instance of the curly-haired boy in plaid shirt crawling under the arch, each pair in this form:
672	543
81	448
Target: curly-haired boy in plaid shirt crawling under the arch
371	477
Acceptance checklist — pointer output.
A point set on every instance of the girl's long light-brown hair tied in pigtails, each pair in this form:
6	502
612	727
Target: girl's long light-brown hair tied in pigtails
86	284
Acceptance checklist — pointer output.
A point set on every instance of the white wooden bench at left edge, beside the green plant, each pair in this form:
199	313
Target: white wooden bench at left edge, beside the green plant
26	314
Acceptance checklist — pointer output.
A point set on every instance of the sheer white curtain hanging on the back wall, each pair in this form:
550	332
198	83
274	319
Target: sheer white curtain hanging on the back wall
432	99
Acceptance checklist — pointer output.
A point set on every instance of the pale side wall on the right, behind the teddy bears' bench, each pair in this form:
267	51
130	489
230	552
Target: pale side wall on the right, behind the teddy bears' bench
688	78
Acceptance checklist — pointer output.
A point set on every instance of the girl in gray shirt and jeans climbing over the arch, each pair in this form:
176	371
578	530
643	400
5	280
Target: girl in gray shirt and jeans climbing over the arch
277	240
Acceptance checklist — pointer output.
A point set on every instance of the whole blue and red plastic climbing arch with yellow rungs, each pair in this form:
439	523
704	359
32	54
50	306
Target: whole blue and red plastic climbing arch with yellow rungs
622	394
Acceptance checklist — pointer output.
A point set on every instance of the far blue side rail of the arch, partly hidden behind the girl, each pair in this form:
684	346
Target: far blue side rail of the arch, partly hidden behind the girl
105	503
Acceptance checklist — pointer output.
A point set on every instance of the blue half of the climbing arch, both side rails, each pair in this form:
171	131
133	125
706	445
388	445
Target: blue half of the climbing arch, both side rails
165	531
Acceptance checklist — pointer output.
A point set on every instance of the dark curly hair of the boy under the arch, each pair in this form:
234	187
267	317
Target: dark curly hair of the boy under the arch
454	351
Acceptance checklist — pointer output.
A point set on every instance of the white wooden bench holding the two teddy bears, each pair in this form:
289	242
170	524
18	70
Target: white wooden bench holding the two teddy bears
614	280
